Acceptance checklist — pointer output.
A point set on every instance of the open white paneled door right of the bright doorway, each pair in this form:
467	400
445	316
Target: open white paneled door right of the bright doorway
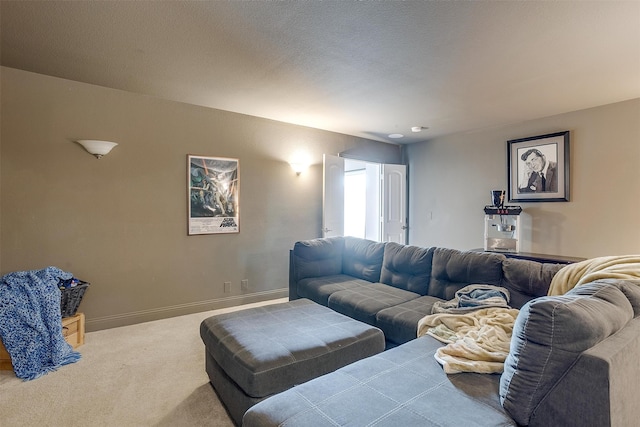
394	203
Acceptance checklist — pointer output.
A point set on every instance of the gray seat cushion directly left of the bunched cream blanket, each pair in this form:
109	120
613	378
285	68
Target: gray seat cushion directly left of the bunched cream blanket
400	322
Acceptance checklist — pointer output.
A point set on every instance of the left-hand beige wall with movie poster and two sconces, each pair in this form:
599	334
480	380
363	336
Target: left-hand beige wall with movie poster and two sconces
121	222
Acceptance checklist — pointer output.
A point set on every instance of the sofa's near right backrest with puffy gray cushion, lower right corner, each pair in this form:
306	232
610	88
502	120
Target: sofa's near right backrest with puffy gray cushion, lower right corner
570	357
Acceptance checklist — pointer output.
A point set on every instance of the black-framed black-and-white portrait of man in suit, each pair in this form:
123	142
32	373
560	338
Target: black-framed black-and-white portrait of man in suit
538	168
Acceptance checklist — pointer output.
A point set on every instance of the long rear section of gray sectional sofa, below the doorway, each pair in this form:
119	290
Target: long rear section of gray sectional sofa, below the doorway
393	286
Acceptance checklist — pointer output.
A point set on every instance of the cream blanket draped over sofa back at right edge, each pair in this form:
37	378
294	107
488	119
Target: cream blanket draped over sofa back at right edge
626	267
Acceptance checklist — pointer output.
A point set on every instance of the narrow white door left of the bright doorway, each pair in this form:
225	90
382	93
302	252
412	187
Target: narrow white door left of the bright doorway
333	196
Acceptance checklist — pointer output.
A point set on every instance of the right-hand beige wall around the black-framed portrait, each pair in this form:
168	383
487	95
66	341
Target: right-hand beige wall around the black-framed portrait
451	177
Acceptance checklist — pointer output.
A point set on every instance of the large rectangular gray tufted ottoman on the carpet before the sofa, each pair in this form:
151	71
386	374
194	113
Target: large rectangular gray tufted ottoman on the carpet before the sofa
255	353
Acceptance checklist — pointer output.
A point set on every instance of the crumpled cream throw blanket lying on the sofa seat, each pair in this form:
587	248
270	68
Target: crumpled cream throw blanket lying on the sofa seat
478	341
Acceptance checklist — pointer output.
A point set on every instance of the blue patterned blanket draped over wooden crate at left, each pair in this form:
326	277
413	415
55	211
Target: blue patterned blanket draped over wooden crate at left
30	322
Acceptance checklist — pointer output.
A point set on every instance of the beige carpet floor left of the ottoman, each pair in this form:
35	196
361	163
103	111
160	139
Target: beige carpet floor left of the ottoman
150	374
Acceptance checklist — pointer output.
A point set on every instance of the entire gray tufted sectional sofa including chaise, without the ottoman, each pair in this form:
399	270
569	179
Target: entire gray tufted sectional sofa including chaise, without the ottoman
574	359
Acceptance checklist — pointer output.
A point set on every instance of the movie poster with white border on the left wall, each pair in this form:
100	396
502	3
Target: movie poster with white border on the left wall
213	195
